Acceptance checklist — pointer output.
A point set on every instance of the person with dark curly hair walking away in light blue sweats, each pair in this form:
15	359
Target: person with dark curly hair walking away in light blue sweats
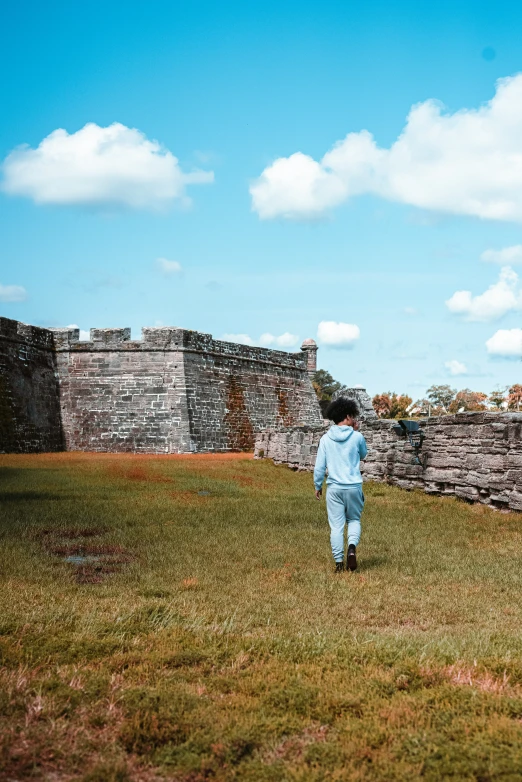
339	456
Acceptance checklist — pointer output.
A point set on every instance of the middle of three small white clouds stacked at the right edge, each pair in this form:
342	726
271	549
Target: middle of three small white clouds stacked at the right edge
500	298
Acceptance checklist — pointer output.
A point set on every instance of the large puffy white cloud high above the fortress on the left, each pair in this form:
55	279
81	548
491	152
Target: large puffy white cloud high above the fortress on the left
94	166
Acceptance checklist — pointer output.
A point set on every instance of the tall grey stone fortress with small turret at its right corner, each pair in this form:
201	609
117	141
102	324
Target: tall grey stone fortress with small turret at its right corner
173	391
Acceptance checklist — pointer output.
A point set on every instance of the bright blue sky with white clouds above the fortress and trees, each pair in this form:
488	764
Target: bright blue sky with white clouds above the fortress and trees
378	237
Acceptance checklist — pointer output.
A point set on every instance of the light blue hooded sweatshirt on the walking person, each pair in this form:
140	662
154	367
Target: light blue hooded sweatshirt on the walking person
340	452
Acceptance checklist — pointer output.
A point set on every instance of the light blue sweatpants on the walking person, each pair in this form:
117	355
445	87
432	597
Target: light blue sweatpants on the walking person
344	506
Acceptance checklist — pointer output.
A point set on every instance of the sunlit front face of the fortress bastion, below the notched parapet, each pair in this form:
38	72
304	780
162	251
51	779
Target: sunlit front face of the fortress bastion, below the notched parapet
119	394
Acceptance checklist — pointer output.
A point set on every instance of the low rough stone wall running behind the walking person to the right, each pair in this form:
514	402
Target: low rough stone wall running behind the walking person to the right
475	456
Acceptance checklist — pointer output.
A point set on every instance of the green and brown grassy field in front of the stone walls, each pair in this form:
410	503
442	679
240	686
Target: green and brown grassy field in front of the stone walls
179	617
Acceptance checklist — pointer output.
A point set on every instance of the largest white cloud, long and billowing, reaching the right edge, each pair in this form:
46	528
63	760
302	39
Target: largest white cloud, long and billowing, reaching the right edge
469	163
